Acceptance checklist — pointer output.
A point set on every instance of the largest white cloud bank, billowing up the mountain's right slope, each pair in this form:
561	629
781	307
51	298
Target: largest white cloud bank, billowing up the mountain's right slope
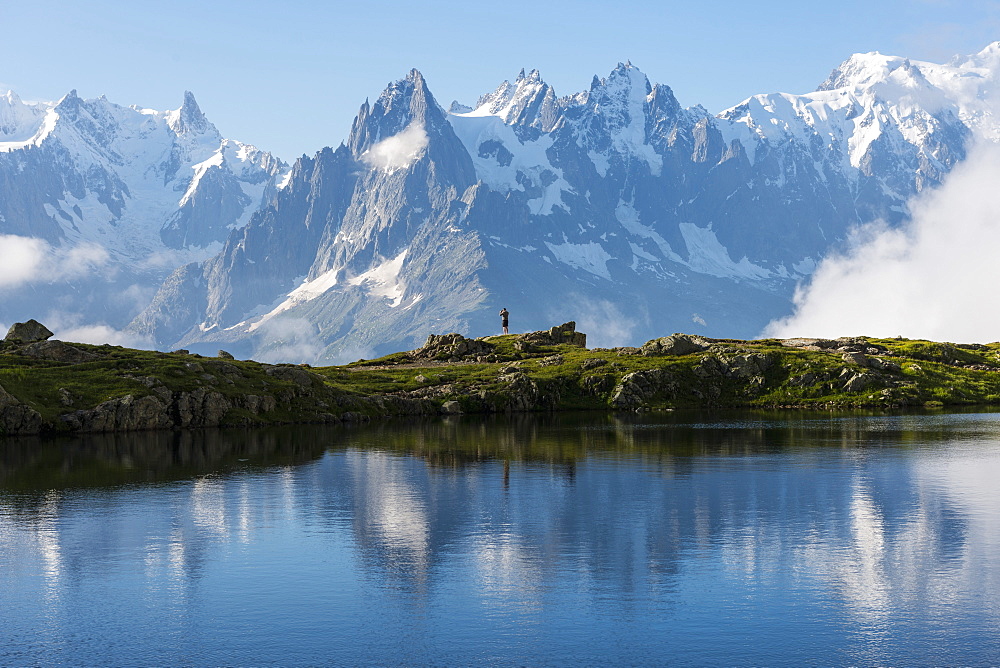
935	278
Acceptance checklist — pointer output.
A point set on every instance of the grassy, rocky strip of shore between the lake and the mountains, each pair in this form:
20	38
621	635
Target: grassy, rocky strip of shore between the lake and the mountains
65	388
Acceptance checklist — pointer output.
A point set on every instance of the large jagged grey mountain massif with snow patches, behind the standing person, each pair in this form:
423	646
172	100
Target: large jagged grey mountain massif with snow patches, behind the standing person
614	207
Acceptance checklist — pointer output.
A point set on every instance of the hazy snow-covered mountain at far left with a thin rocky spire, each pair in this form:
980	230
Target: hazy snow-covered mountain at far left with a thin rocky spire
107	200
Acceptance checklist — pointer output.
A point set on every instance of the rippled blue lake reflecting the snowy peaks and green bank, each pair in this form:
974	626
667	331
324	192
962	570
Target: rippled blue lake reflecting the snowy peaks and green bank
681	539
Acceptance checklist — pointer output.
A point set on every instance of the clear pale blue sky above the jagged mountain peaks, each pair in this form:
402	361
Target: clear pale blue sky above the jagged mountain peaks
289	76
